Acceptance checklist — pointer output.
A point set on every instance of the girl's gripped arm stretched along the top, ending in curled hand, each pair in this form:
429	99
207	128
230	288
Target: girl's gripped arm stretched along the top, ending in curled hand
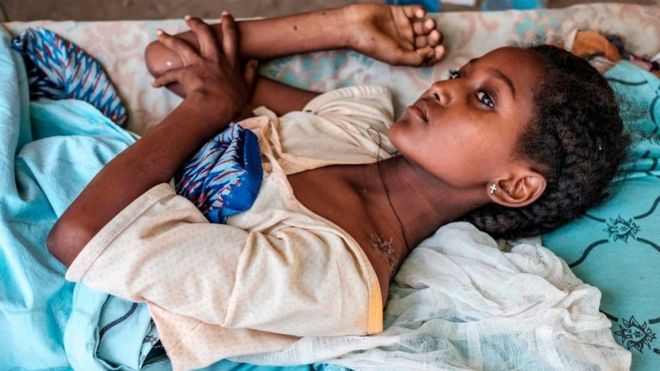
393	34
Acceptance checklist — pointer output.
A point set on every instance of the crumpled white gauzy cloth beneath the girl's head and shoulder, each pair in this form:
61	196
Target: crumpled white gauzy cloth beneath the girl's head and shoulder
458	302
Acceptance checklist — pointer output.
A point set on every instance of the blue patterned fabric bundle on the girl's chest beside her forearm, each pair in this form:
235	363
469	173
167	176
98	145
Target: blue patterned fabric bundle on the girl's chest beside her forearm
225	175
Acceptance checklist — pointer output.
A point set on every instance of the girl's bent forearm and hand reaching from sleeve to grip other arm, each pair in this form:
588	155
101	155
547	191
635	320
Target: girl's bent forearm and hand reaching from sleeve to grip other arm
216	91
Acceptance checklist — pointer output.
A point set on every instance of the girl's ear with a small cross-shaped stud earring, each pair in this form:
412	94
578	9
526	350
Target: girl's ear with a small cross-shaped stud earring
520	189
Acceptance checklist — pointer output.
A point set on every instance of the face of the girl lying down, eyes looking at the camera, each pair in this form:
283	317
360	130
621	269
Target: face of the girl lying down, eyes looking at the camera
465	130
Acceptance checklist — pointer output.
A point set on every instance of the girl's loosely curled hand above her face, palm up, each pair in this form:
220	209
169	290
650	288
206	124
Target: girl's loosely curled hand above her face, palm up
399	35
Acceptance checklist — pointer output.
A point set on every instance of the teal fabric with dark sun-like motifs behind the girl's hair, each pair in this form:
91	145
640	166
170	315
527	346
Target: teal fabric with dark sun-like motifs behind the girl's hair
616	246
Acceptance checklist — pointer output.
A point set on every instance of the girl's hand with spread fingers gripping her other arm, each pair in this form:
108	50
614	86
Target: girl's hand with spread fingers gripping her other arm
213	74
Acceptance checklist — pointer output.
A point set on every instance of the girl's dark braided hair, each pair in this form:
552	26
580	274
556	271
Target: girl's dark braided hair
575	141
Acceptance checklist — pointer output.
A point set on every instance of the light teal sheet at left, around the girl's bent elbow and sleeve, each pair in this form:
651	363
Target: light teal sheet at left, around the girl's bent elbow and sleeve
49	151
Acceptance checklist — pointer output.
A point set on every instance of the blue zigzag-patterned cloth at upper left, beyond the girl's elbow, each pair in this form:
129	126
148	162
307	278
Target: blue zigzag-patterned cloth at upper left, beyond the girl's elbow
59	69
